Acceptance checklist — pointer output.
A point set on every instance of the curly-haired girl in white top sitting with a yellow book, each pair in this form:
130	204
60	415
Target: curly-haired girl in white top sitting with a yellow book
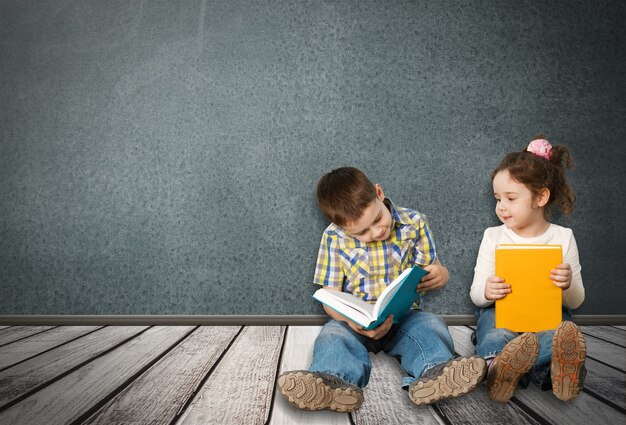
527	185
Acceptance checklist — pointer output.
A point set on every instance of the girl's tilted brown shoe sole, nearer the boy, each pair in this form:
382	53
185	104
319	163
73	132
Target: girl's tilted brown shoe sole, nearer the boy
516	358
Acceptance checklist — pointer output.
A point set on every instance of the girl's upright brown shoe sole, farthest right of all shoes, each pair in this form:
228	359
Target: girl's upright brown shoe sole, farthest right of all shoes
567	370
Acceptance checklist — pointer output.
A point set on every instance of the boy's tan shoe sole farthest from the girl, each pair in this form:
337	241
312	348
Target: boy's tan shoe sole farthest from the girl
317	391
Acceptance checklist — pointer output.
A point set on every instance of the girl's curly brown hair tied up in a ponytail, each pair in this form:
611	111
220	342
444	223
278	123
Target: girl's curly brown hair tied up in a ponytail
537	173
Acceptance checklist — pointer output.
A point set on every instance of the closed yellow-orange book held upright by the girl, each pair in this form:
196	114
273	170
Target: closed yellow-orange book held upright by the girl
534	303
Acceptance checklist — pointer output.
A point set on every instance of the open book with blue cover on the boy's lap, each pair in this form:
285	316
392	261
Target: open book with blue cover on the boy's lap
396	299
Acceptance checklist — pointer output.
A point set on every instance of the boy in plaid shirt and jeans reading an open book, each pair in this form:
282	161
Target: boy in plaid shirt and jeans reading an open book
368	244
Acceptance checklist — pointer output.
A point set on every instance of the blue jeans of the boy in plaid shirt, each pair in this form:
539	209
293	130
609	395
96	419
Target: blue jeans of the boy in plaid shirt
419	341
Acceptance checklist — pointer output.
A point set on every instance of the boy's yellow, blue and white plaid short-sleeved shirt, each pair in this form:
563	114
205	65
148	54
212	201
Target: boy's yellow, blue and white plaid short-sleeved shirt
365	269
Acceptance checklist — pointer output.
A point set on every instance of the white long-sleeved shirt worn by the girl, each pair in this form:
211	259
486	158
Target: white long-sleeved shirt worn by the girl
573	297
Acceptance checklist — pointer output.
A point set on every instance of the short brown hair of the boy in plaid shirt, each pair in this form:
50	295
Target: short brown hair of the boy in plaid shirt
343	194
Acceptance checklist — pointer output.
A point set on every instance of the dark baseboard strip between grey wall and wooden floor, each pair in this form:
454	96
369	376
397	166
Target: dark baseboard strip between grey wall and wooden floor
243	320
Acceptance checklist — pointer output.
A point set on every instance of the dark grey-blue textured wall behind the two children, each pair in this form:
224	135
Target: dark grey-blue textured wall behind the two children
161	157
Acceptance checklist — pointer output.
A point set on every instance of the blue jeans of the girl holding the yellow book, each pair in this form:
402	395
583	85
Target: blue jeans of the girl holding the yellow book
491	340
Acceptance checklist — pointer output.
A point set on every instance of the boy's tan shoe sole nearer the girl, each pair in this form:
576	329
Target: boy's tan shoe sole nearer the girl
452	379
